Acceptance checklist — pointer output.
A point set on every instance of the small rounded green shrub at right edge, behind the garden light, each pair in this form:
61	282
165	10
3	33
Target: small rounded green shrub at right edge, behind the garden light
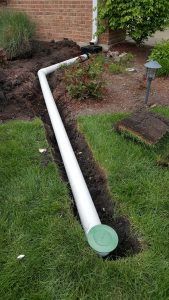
160	53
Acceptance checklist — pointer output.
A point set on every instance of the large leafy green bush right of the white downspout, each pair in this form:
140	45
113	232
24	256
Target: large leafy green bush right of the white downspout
139	18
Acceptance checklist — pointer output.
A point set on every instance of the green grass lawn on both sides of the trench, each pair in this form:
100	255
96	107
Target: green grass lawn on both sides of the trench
36	219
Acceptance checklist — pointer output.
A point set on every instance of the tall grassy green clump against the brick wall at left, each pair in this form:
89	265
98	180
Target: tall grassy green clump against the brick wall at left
16	33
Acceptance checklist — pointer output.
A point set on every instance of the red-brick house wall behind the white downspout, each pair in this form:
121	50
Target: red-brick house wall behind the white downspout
58	19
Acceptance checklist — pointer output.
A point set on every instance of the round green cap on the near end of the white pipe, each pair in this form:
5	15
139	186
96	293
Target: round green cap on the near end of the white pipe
102	238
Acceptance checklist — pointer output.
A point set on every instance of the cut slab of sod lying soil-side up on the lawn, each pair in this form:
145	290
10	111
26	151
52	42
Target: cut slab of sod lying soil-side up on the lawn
144	126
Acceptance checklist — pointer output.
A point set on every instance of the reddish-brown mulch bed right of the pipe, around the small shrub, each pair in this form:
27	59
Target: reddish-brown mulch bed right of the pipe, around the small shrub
124	92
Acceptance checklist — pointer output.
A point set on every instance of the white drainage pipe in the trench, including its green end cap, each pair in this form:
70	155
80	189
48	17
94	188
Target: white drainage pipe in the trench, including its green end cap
103	239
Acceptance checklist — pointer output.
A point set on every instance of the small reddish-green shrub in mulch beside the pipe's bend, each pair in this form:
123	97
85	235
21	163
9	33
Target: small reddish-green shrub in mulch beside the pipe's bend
85	80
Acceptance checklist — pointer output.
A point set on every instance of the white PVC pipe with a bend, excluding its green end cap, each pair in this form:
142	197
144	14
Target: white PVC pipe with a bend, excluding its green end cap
87	212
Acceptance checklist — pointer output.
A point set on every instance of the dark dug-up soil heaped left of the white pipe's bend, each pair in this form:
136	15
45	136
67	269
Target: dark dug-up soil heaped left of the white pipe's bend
19	85
